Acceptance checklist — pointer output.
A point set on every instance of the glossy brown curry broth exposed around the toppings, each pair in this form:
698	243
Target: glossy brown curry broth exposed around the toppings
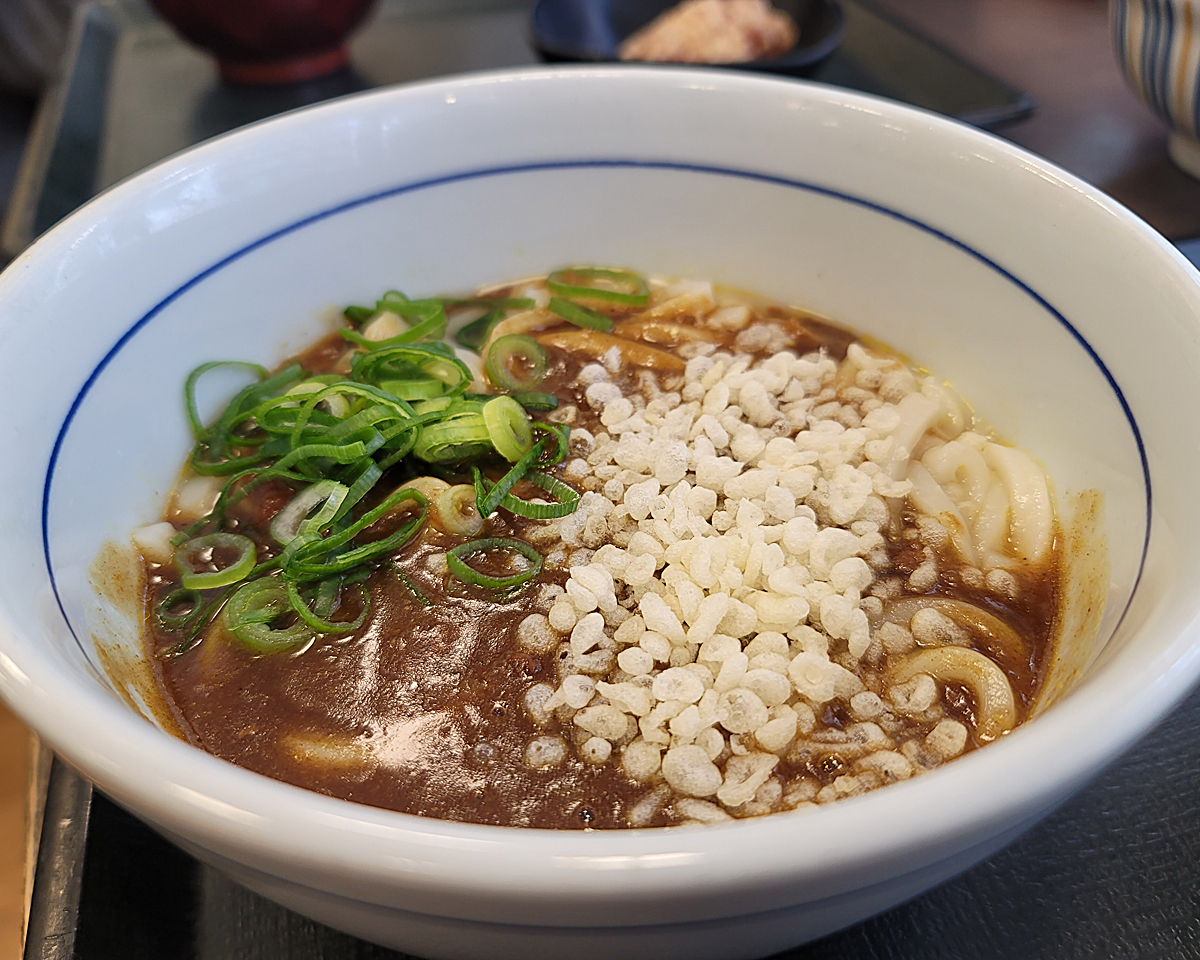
434	694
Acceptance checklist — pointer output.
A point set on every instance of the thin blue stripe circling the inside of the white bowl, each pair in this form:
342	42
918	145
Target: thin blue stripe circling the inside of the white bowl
536	167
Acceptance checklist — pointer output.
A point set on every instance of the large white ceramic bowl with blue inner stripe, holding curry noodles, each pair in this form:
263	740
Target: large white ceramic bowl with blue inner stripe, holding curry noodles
1067	322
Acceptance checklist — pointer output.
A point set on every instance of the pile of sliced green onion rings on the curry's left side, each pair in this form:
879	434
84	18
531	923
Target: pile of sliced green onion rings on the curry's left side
332	439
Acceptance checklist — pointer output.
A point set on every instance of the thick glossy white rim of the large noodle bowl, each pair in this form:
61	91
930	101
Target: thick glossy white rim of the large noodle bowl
189	793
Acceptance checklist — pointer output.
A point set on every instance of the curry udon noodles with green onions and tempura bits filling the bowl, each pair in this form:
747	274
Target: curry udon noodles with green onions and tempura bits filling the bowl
785	568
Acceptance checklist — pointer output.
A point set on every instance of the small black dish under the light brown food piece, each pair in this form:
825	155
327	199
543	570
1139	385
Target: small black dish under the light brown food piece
592	31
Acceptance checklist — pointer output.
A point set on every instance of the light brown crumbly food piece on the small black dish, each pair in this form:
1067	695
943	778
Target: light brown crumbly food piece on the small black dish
713	32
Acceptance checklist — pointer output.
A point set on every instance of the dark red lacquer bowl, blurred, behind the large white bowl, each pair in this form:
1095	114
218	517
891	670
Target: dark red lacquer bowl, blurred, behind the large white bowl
269	41
